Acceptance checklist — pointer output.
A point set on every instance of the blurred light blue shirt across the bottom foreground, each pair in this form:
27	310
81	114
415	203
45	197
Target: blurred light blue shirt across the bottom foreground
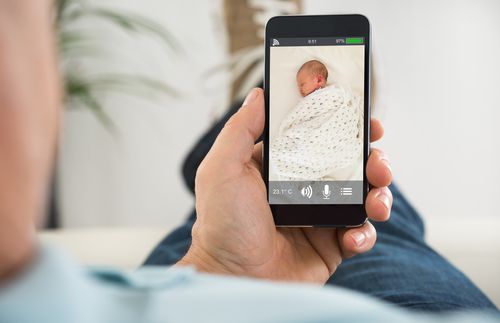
56	289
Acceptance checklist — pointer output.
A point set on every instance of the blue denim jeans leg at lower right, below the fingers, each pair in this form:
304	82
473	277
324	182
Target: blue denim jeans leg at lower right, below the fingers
404	270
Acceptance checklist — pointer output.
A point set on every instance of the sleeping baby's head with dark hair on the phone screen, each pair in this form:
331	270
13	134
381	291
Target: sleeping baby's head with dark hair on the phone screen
312	75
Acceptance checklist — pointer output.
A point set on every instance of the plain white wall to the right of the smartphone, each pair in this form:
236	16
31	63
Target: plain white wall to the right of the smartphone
438	73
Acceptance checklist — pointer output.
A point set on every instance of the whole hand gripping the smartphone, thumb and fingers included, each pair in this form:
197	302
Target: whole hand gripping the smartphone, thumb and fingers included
235	233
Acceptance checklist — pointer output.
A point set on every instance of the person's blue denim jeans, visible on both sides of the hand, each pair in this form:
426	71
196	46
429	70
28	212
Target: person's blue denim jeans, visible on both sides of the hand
401	268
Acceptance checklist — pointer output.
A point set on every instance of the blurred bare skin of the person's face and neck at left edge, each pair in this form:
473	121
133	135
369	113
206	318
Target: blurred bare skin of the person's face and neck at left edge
29	114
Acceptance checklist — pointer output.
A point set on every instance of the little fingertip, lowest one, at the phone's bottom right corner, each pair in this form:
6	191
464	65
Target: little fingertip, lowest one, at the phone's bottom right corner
353	241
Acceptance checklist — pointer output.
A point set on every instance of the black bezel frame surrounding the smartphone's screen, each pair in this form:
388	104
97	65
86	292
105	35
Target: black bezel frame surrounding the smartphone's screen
319	215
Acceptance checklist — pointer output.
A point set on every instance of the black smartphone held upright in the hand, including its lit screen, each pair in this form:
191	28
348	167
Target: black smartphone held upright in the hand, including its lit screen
316	137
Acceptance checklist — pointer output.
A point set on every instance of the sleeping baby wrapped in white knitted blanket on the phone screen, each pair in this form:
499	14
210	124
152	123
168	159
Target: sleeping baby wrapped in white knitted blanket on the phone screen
323	134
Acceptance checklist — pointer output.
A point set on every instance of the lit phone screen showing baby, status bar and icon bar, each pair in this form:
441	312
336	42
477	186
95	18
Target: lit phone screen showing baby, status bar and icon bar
316	121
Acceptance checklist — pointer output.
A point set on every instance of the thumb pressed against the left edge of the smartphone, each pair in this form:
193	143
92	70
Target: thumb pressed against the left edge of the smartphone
236	140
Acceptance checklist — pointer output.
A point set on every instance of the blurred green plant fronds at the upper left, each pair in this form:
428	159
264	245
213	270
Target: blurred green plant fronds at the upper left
77	45
